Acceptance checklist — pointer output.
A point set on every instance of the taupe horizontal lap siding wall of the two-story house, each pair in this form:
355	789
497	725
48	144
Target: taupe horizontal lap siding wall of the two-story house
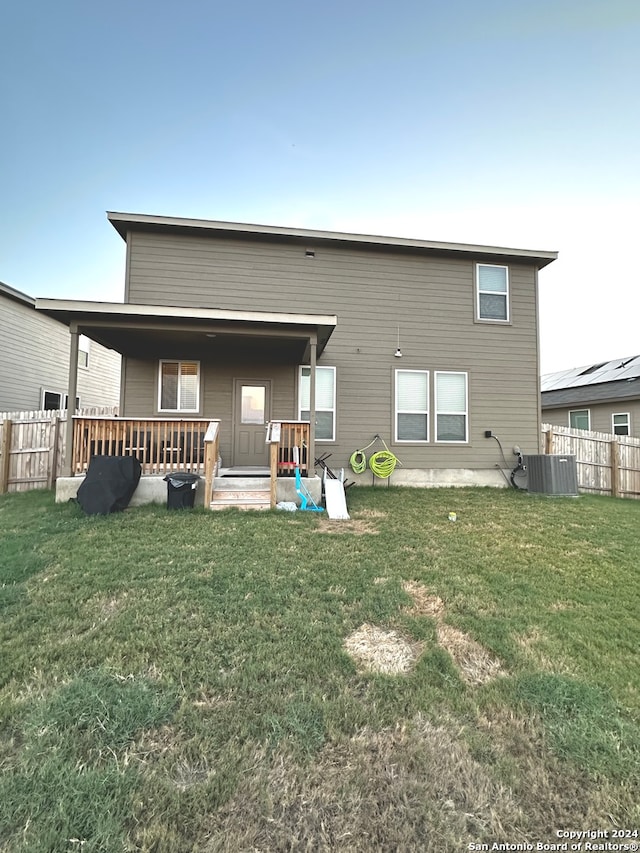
372	292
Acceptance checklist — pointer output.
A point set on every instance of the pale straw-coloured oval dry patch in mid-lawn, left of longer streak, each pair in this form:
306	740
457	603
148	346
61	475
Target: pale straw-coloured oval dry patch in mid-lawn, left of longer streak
376	650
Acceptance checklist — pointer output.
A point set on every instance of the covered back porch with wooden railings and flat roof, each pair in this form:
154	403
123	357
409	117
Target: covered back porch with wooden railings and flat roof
231	355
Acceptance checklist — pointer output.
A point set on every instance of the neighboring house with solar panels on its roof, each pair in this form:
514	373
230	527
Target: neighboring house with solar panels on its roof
602	397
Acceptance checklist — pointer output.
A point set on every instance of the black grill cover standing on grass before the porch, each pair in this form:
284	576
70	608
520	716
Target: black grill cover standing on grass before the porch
109	484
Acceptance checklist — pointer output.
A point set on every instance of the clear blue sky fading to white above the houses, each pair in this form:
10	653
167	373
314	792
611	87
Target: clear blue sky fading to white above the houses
486	121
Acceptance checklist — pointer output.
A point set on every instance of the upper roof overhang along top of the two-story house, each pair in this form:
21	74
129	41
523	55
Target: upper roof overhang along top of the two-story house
125	222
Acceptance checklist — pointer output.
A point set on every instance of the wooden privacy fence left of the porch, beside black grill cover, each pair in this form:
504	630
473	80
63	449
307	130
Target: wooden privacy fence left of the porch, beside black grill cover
32	448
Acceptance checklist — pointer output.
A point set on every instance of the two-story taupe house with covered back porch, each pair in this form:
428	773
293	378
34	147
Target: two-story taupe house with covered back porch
428	345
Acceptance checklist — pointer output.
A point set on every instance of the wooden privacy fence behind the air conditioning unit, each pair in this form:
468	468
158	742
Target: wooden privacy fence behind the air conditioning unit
607	464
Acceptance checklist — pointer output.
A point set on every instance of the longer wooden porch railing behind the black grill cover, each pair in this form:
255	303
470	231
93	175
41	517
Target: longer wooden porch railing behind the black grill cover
160	445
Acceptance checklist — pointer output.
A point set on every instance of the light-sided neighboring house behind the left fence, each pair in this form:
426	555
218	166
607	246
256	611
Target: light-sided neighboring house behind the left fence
34	360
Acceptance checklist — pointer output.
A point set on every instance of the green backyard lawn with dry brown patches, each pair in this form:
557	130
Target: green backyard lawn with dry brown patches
179	681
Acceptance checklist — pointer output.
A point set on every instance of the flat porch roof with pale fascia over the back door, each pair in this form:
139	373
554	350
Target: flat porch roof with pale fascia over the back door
152	331
